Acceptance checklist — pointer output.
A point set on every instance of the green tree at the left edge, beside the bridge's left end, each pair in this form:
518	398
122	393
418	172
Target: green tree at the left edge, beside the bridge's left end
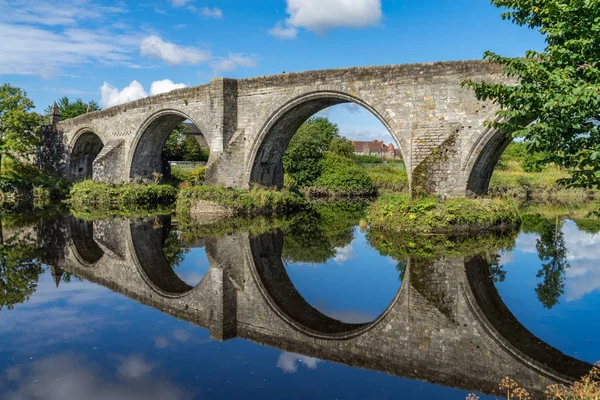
18	124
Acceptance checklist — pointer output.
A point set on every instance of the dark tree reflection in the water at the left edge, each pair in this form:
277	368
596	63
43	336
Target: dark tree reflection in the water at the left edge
19	270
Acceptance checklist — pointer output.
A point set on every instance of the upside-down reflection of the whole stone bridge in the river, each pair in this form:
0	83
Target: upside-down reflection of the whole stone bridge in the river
446	325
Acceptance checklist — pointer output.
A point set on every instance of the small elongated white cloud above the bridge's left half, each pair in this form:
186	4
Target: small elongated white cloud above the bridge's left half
155	47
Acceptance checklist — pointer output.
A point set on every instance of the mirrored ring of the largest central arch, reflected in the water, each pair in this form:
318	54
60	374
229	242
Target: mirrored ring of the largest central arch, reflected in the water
279	293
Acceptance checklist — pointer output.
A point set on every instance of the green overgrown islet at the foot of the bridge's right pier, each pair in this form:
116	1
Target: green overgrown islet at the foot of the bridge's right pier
400	213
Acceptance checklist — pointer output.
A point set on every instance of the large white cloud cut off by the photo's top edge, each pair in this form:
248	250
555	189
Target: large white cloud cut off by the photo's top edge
320	15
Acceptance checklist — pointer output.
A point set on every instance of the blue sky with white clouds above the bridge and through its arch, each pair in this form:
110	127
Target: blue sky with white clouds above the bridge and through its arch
117	51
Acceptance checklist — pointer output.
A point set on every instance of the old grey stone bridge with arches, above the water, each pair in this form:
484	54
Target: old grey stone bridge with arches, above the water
437	125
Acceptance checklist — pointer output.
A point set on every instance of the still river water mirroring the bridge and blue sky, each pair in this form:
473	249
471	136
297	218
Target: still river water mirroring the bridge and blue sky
313	306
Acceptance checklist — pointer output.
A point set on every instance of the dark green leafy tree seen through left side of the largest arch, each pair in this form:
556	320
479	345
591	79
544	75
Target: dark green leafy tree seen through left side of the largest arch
309	143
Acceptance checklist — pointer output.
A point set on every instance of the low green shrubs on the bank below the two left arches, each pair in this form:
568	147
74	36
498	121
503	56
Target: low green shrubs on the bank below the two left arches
89	193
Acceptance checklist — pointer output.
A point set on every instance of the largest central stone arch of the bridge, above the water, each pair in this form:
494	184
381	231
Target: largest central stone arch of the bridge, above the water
264	164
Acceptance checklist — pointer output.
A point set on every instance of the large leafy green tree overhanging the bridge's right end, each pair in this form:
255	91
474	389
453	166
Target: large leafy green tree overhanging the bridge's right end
554	103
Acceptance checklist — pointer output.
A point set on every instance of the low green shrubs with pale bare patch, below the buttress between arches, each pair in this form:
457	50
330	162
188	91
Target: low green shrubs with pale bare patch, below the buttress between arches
202	200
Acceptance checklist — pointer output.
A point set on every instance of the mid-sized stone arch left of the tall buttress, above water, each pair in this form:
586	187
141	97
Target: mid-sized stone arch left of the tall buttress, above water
145	155
